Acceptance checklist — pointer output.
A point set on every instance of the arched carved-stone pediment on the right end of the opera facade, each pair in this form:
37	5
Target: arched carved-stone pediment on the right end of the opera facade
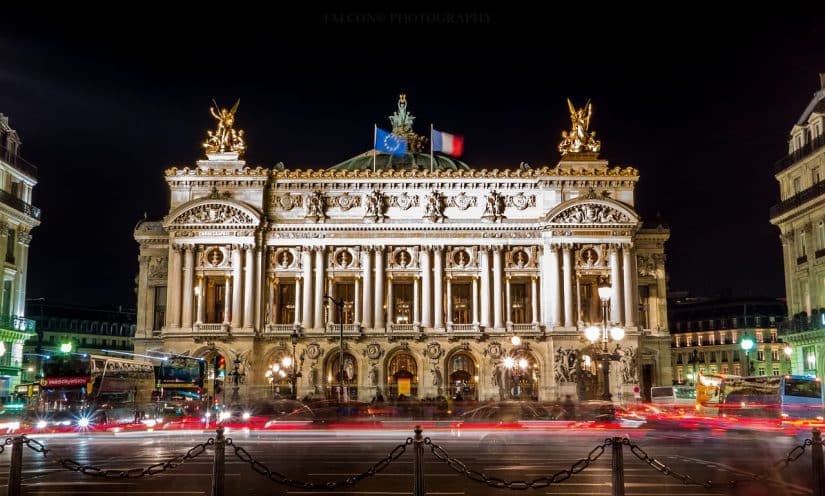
592	212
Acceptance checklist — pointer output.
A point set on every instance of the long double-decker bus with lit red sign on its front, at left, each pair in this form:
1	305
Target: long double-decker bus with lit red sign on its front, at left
81	389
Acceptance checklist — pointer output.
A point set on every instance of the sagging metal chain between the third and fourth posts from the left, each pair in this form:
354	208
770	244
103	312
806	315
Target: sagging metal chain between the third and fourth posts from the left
459	467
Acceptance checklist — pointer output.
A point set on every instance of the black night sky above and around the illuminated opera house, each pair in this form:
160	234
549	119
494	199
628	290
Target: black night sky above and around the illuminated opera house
700	102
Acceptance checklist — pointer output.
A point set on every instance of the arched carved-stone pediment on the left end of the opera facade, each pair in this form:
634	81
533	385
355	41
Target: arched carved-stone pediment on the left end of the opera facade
212	214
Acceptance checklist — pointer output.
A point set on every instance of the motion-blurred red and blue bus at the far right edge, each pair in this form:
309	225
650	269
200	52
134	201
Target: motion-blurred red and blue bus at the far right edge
784	397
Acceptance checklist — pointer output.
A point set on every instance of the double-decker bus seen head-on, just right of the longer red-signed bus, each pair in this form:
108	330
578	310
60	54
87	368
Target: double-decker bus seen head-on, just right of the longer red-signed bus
180	386
